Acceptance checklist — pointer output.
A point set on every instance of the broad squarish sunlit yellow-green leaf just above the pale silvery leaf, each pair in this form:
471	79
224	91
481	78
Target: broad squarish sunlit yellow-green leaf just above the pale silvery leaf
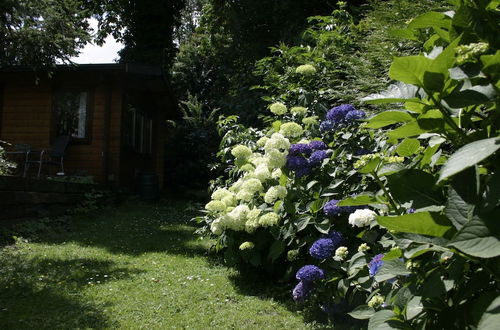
410	69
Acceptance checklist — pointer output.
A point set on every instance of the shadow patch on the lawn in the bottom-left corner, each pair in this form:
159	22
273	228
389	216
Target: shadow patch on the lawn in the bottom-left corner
47	293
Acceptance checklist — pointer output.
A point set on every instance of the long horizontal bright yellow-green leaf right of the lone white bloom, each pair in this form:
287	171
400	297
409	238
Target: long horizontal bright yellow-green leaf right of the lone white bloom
423	223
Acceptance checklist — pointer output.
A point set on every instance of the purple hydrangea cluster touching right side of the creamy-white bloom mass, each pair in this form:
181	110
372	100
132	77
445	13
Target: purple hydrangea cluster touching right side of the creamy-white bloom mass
297	161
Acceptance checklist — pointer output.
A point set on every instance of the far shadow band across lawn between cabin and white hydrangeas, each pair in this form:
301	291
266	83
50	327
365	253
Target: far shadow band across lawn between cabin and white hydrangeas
132	228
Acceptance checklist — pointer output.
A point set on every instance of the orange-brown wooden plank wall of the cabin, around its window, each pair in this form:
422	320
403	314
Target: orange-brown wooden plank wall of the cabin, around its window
27	117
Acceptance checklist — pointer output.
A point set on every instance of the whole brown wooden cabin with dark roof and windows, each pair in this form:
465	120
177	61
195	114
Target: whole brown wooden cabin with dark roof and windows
114	114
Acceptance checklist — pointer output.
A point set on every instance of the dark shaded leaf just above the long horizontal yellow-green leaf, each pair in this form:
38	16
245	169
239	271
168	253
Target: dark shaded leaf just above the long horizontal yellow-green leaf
414	186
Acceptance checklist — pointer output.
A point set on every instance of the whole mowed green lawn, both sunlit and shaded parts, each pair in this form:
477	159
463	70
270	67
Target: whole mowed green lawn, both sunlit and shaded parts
136	267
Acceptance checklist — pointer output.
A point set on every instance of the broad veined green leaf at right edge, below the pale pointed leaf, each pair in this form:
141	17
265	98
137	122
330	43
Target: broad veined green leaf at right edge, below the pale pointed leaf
480	237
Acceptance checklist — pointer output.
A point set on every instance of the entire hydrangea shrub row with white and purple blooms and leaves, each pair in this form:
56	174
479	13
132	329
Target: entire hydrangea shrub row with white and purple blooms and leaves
392	219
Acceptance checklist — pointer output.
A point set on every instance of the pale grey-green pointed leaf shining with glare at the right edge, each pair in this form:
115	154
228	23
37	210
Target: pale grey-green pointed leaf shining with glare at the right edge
469	155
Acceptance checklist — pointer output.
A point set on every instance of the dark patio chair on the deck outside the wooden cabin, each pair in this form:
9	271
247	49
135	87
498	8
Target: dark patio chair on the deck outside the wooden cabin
52	156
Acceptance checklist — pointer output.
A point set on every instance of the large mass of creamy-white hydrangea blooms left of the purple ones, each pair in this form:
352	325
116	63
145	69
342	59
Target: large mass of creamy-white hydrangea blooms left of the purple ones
234	207
